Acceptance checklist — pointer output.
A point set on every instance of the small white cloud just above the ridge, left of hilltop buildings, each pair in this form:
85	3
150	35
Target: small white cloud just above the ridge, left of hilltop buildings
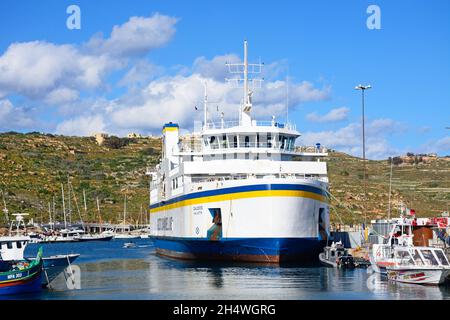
81	126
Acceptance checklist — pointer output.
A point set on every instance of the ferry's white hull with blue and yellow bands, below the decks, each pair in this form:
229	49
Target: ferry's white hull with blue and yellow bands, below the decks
269	223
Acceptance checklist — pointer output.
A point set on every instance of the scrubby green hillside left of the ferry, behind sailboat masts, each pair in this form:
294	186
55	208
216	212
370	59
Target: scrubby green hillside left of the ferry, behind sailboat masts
33	167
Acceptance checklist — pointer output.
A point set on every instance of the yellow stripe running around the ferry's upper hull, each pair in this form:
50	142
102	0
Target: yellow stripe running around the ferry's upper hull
242	195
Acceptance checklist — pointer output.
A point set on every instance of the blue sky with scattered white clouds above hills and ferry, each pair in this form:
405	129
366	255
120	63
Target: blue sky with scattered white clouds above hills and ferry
132	66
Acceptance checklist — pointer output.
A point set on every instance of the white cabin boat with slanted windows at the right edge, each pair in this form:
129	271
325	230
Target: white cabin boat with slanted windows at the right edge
419	265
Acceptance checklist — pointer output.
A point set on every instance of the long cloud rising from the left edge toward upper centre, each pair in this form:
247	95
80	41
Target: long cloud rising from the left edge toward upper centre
57	73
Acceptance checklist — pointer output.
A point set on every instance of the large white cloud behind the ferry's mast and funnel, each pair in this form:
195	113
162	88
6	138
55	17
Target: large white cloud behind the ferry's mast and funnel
174	98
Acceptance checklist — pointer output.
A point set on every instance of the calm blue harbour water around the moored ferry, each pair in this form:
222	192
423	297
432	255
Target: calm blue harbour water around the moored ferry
109	271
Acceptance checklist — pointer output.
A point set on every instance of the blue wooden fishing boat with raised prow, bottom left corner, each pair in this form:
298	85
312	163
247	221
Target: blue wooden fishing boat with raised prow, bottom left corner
17	277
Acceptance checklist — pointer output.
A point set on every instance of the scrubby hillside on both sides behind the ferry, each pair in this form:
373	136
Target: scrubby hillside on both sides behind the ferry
33	166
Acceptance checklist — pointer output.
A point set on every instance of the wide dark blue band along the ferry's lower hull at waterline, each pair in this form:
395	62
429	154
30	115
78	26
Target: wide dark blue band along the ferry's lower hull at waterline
268	250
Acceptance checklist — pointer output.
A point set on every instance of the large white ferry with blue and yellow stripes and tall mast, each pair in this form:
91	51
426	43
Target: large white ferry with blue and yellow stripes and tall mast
239	190
